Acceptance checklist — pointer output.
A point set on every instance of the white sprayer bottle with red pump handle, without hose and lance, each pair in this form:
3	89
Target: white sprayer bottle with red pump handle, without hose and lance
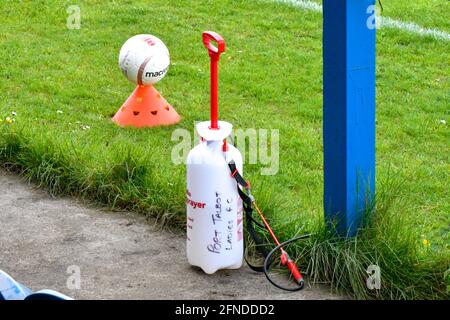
214	207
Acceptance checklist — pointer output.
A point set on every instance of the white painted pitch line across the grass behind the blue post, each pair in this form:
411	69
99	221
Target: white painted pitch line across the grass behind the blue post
386	22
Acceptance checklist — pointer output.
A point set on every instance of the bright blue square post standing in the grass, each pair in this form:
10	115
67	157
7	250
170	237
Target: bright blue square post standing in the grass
348	112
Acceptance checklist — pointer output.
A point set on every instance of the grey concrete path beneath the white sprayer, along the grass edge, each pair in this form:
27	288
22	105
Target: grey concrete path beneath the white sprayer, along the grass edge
119	255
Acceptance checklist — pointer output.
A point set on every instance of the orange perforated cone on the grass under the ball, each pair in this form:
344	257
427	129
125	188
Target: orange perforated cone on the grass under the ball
146	108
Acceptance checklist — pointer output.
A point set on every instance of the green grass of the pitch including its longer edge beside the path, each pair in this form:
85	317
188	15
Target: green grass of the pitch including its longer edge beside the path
47	67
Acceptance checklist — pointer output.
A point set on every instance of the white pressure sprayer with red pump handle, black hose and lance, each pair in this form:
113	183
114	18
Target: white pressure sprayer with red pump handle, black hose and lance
216	198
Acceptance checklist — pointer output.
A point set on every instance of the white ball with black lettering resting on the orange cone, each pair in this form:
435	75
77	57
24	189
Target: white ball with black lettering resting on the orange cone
144	59
